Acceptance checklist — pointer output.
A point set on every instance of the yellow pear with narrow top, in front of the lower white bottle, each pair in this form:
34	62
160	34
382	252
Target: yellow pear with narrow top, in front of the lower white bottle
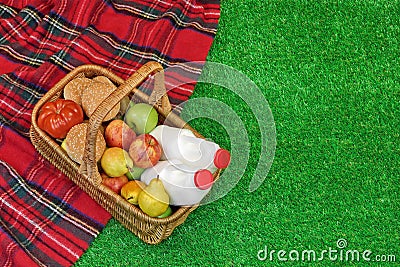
154	200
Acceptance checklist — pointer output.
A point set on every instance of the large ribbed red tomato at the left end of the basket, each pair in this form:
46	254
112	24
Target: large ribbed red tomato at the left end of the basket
58	117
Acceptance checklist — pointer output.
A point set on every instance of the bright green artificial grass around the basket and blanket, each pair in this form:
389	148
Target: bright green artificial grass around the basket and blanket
330	73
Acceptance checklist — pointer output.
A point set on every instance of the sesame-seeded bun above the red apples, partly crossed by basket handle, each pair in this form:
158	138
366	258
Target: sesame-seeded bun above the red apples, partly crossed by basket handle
94	95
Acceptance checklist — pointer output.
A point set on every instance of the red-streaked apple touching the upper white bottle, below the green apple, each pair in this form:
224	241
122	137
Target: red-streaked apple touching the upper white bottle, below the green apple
145	151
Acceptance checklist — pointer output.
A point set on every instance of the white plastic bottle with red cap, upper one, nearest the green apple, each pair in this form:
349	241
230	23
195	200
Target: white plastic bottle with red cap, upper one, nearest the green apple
183	145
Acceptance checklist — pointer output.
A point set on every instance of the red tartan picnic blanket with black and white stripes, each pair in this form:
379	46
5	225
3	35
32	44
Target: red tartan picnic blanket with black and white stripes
45	219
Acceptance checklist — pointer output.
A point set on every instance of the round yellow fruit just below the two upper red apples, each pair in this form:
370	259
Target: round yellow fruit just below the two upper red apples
116	162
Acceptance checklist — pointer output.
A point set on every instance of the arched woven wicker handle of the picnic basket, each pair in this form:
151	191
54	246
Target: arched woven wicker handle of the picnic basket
158	99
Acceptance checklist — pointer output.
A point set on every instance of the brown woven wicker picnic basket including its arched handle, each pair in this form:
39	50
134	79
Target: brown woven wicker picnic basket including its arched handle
150	230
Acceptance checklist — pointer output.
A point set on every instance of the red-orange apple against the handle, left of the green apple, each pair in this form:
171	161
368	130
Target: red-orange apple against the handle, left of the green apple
118	134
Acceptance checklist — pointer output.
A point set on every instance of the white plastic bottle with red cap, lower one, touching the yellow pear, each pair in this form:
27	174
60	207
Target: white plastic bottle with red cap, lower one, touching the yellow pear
185	185
